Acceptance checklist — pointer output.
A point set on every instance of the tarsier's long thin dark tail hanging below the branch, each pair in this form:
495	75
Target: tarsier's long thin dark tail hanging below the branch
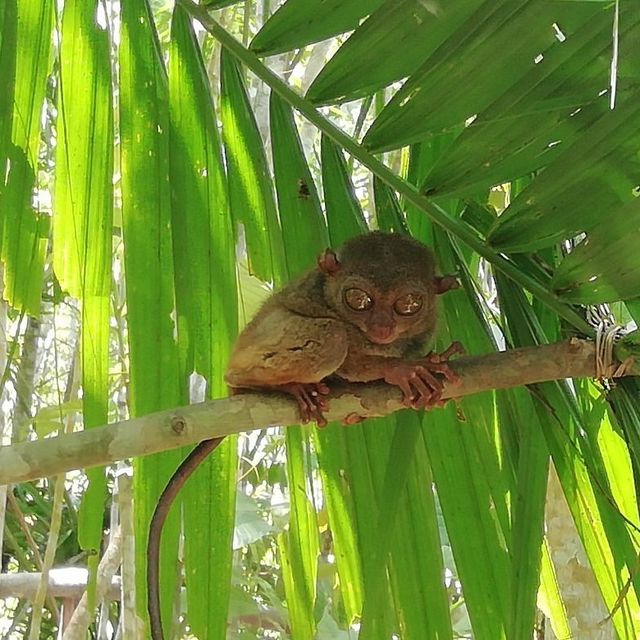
175	484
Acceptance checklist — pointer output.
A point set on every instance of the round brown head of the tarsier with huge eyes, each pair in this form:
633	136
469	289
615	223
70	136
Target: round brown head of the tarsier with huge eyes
385	284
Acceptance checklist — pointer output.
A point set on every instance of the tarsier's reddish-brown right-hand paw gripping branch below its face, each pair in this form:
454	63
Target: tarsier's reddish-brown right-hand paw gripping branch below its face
417	380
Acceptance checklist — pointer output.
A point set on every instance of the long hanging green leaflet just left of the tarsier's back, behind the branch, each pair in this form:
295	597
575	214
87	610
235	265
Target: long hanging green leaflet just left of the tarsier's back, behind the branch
205	283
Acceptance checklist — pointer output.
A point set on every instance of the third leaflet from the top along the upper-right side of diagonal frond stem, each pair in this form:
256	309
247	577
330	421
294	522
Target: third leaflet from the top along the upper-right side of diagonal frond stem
522	28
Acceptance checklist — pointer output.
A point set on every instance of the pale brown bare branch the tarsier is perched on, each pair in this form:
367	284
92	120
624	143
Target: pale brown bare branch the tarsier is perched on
189	425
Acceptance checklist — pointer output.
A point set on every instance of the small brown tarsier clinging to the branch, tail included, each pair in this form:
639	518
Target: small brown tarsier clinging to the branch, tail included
366	312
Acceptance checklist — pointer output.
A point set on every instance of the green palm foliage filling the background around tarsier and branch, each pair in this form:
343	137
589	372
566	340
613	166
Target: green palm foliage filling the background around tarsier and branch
503	133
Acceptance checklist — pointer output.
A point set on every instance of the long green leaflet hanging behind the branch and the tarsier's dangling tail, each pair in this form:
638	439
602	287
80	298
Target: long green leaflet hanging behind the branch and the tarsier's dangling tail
146	213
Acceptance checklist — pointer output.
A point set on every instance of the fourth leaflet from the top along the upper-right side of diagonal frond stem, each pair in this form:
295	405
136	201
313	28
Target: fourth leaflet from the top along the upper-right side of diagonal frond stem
528	126
